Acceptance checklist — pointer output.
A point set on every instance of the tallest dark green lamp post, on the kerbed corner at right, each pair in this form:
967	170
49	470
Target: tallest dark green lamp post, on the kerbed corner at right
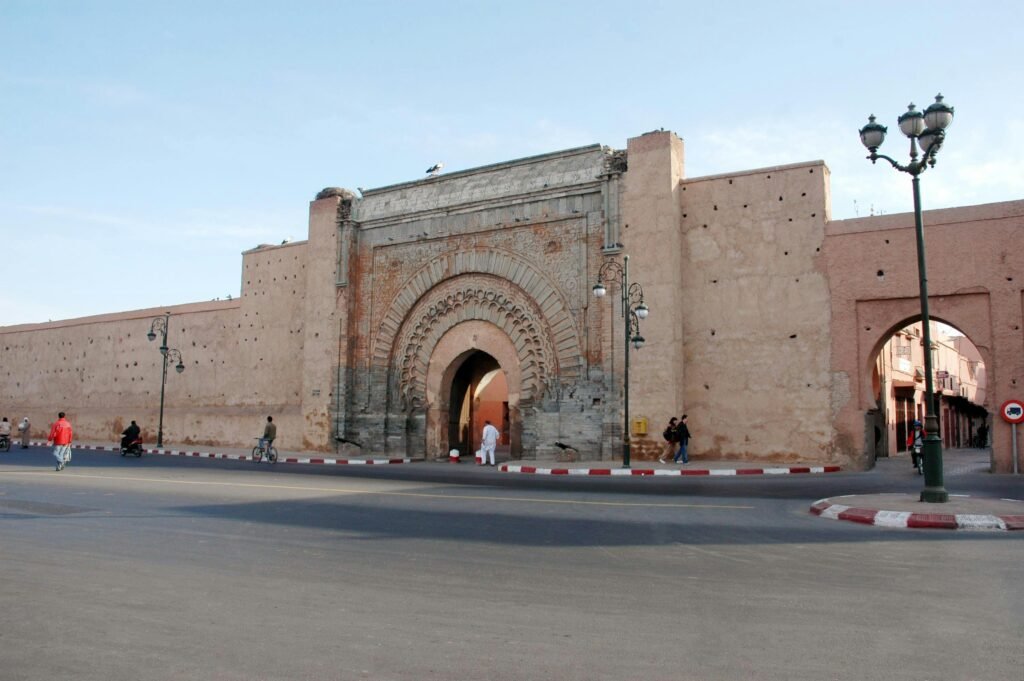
926	131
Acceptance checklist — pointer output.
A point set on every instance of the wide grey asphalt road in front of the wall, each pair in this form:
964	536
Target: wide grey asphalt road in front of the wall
175	569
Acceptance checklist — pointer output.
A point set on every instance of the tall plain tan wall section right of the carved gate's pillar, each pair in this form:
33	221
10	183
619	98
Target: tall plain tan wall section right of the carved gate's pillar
756	315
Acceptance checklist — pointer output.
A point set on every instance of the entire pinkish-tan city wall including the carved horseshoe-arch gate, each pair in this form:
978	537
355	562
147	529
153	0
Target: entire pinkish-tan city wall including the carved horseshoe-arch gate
765	317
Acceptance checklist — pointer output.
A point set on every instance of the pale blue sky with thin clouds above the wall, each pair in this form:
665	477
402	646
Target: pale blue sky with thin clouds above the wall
145	146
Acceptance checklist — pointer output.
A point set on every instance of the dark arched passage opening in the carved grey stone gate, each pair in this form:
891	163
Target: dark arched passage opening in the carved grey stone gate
480	394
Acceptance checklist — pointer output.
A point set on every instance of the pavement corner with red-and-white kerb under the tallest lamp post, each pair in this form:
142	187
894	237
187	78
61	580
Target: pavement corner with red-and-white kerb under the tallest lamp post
907	512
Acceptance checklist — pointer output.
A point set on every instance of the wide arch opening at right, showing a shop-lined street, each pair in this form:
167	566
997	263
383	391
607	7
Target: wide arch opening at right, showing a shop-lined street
899	390
